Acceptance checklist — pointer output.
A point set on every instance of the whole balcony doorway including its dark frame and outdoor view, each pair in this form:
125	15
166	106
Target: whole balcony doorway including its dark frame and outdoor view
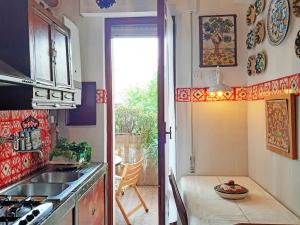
131	82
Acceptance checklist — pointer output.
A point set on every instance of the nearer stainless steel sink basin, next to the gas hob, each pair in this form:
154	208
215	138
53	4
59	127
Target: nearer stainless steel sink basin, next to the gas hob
37	189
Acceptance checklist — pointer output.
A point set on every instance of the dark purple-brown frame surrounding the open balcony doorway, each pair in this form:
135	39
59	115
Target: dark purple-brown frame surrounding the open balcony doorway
109	22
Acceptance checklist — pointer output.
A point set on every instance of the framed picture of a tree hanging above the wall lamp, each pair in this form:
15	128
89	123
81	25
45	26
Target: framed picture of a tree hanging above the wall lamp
218	41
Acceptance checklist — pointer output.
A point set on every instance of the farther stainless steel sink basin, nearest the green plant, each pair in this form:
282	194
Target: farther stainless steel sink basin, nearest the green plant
57	177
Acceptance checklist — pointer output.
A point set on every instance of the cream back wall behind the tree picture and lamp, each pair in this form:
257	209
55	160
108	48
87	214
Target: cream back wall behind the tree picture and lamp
211	121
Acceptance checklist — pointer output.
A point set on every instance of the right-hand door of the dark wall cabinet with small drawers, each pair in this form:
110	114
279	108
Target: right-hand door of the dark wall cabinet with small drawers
62	57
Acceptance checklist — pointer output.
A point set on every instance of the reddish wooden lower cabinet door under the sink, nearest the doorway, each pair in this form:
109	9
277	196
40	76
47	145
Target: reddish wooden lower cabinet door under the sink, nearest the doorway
91	207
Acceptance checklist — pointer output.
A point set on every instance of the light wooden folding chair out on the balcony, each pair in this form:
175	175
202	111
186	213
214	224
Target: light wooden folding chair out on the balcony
129	178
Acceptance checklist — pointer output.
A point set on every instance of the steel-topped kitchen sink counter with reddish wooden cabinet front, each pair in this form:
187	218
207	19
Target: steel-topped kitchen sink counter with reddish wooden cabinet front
66	204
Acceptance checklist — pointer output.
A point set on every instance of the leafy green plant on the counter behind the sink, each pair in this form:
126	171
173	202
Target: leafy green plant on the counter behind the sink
72	151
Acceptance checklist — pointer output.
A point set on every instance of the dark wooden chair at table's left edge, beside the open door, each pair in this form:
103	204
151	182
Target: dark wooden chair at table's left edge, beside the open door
178	200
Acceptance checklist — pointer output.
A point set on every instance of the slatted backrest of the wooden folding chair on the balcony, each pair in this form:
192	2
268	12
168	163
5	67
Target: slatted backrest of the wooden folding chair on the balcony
130	175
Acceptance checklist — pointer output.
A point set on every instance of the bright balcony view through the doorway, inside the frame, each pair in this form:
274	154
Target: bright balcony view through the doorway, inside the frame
134	70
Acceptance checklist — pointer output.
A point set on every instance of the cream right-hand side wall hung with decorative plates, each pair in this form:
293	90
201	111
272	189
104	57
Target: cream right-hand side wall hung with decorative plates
277	174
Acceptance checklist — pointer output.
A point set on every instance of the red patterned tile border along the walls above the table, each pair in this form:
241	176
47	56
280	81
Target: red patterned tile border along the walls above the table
287	84
